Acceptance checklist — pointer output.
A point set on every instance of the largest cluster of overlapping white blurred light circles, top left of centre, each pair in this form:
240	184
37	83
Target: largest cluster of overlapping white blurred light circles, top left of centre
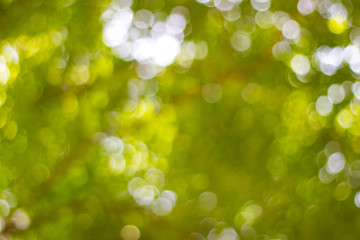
138	37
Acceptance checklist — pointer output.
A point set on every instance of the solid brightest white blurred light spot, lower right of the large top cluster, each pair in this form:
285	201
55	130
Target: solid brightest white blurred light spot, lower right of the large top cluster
165	50
